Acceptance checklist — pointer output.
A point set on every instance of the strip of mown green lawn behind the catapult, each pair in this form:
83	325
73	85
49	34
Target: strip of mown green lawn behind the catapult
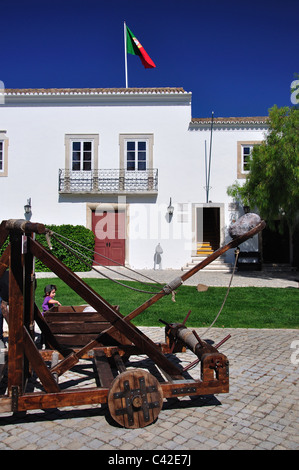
245	307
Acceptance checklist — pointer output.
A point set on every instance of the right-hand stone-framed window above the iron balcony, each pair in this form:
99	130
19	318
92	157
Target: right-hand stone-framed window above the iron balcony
136	152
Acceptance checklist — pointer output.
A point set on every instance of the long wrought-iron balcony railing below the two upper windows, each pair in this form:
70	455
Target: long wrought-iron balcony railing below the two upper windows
114	181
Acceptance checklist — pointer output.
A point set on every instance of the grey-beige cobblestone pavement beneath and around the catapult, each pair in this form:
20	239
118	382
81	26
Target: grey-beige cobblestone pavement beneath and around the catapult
259	412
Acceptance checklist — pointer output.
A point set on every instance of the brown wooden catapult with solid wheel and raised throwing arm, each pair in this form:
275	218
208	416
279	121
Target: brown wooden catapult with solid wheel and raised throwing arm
103	335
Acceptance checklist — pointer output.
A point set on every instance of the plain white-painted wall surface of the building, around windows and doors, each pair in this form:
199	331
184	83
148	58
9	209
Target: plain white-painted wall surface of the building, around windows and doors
37	150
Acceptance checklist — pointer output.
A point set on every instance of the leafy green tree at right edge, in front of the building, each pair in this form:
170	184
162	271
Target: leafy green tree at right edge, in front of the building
272	185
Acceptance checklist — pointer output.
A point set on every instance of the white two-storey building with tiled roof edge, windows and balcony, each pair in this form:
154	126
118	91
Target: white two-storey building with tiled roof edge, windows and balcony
129	164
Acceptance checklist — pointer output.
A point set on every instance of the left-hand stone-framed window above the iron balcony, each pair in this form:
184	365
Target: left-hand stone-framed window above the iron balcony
81	152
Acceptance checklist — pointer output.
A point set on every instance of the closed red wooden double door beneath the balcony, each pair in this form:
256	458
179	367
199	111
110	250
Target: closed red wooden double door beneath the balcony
109	230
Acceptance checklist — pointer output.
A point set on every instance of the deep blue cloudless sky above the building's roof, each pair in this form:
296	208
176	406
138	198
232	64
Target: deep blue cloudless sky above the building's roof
238	58
